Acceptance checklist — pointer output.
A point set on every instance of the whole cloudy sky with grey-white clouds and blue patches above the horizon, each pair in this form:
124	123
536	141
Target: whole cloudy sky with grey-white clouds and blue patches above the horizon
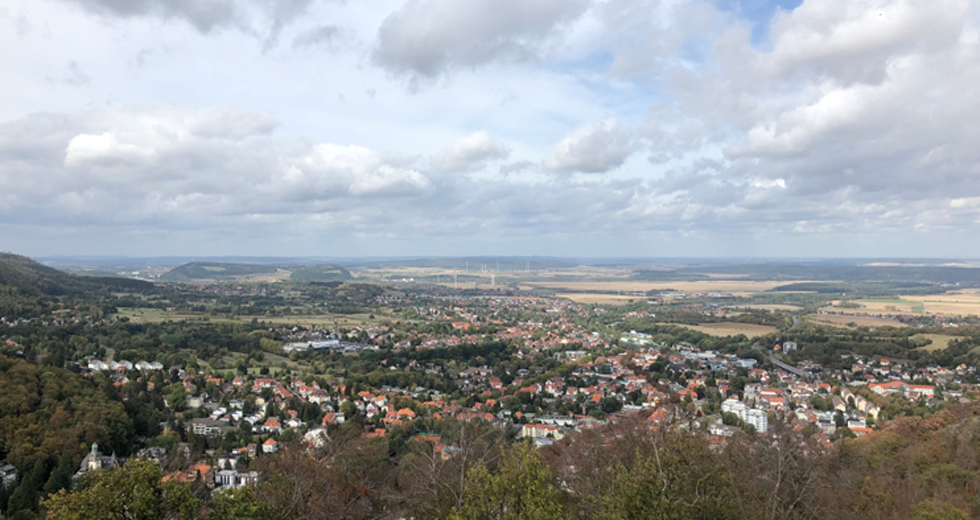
584	128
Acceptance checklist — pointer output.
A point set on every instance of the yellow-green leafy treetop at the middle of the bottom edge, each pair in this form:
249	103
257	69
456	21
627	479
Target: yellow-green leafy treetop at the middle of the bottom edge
522	488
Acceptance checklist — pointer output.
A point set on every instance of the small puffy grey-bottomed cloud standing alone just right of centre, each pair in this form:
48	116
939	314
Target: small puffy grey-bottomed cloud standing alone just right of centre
593	149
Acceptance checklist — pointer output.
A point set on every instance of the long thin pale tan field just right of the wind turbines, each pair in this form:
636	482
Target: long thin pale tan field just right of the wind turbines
738	287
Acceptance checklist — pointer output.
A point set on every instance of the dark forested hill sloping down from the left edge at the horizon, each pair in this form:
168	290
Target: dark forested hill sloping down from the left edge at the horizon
32	277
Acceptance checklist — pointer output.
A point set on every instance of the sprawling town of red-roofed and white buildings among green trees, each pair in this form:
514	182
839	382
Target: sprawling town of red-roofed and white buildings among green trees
538	367
